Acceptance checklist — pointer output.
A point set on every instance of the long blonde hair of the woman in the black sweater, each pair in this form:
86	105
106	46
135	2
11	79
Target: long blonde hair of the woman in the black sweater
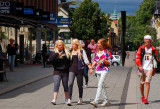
65	48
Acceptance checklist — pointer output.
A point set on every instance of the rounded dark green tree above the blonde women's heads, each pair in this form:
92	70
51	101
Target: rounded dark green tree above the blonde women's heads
87	21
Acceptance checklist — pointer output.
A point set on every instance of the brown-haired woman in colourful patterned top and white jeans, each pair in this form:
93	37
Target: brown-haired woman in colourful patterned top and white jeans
102	61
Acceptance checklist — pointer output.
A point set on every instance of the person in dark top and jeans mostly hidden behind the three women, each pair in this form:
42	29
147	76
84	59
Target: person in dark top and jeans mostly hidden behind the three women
88	52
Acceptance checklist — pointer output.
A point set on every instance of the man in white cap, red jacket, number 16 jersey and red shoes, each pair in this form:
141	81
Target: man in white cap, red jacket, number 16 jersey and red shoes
146	61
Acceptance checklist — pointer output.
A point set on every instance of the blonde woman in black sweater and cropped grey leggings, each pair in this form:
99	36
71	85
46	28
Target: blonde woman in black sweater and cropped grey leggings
60	58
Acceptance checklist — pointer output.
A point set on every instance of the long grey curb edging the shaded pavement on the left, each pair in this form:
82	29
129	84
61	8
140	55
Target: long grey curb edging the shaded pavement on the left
6	90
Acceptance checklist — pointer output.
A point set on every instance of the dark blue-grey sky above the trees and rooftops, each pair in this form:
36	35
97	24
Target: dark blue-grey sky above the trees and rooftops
108	6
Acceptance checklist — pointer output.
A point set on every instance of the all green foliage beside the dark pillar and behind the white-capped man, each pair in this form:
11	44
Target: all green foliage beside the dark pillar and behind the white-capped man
138	26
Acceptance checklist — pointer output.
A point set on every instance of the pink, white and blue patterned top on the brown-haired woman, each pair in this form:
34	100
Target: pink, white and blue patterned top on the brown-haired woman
103	66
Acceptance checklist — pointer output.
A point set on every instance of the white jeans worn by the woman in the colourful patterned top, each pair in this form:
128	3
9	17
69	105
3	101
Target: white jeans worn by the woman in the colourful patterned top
101	87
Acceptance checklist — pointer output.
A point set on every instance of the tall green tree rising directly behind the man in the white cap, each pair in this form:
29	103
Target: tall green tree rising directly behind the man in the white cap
143	19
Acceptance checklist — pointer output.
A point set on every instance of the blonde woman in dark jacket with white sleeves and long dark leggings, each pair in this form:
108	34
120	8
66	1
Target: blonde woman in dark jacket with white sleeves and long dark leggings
78	61
